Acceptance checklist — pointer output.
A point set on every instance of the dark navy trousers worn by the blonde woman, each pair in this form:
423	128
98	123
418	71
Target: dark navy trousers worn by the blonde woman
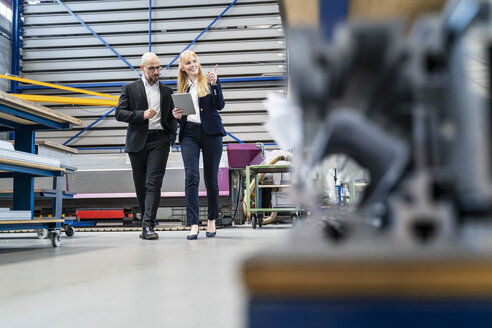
195	139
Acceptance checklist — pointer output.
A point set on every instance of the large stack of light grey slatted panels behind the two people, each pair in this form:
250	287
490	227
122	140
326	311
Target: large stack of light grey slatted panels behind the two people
247	42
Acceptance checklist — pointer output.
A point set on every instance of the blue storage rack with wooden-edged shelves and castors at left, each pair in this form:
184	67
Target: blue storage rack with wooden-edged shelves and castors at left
25	118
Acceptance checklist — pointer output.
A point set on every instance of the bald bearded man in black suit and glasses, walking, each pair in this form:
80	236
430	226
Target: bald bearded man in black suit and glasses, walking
146	106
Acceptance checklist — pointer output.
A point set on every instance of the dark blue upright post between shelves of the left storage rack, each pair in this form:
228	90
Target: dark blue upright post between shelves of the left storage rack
24	183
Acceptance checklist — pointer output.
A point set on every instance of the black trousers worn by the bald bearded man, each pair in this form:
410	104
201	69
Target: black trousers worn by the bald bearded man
149	166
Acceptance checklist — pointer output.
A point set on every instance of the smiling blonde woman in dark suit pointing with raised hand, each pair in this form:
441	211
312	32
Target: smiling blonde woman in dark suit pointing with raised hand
200	131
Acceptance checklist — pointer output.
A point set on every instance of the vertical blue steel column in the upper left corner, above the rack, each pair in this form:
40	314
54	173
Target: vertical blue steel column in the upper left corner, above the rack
16	44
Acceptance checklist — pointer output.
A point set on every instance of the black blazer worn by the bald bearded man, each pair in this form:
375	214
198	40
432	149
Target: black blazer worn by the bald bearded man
131	107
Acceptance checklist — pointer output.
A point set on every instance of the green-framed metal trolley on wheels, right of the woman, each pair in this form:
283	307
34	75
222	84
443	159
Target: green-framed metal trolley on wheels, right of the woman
257	212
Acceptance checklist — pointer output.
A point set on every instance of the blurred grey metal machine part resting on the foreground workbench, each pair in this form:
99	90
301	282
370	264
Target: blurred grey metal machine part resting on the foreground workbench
403	107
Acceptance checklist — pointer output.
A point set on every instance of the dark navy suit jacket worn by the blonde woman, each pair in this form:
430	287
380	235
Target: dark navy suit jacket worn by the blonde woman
210	105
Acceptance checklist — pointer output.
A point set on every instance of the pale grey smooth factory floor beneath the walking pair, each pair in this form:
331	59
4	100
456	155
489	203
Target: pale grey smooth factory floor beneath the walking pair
115	279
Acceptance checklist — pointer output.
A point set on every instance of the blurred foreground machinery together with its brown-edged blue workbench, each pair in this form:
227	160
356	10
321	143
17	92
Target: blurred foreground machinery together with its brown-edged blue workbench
412	107
